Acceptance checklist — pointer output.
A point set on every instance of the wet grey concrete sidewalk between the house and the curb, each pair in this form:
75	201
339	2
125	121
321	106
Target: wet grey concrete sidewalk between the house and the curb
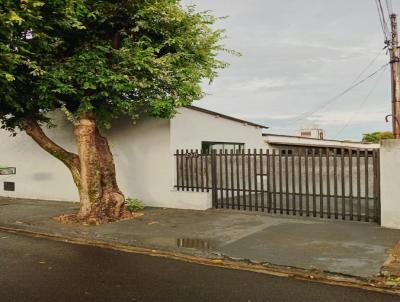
351	248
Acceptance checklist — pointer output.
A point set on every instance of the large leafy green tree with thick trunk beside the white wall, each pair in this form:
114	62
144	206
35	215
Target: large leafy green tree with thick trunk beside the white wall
97	61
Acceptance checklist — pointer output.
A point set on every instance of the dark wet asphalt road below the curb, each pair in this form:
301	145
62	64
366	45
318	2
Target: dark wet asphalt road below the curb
40	270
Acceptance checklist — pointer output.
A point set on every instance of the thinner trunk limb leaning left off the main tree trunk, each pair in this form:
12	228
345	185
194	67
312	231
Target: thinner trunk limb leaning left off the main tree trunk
71	160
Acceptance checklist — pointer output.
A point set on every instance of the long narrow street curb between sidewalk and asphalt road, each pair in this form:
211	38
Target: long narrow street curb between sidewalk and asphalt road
269	269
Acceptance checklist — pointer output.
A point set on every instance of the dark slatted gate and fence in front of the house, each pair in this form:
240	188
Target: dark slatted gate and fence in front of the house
333	183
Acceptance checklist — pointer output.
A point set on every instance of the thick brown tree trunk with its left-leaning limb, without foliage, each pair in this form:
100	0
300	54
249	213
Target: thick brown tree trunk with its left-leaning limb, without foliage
93	171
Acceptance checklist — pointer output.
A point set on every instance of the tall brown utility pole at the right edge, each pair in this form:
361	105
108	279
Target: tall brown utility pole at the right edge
395	74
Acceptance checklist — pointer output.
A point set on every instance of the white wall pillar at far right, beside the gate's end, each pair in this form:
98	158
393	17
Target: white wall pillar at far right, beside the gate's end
390	189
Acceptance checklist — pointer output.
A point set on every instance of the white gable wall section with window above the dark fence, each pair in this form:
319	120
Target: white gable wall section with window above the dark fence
190	127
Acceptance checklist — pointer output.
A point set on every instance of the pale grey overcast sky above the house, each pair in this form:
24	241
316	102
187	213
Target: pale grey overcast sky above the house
296	55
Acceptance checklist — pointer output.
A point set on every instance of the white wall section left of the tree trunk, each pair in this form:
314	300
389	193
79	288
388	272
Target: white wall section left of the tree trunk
39	175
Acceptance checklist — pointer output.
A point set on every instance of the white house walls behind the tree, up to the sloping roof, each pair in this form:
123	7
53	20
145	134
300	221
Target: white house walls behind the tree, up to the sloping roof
143	156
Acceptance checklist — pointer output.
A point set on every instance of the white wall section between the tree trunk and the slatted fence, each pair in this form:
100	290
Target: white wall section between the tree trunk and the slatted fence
145	165
